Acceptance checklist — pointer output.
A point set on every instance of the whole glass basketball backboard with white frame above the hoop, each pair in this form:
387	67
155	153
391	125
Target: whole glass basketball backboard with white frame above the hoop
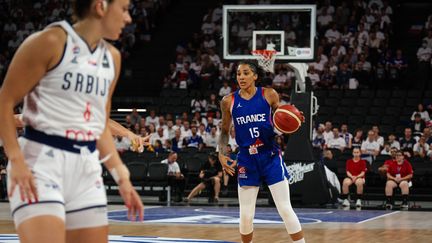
287	29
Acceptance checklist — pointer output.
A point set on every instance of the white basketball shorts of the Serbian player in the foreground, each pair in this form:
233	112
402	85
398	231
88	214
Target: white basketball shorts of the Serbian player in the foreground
69	186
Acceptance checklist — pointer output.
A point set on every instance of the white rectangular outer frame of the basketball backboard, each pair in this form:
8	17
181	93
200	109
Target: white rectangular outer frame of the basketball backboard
284	7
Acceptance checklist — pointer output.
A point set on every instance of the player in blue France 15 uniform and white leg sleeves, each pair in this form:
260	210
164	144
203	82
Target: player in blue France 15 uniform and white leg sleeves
259	158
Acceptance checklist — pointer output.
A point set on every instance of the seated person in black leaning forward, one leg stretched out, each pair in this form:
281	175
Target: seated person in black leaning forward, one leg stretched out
210	175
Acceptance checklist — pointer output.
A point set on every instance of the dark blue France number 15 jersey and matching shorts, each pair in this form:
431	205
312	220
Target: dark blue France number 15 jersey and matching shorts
259	157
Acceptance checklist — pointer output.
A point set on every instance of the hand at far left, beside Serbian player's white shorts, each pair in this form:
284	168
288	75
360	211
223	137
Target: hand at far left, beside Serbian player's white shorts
21	176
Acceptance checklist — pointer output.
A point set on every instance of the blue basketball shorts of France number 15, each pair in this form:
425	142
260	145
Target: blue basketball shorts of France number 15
266	165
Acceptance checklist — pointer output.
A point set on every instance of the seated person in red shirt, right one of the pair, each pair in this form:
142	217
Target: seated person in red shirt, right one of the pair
399	175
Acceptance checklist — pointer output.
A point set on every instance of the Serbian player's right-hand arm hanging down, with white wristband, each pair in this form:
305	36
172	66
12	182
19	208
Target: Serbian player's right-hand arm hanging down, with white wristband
115	166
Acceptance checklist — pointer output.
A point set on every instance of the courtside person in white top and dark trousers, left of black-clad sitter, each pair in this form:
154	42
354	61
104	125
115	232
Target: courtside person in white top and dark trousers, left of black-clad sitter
175	178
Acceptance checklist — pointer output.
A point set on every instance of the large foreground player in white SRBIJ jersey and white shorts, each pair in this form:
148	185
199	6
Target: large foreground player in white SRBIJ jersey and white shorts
66	75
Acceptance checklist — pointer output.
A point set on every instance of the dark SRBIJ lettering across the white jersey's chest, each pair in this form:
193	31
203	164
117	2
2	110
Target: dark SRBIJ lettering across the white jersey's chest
88	84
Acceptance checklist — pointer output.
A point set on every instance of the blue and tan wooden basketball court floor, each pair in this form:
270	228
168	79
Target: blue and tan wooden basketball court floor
220	224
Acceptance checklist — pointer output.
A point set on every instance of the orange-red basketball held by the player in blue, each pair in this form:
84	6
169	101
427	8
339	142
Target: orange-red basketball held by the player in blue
287	119
